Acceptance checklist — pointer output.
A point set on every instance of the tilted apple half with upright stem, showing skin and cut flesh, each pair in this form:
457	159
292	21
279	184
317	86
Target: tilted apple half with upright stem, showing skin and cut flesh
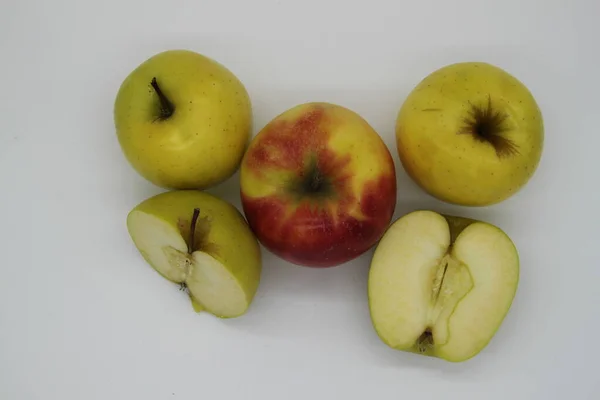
202	243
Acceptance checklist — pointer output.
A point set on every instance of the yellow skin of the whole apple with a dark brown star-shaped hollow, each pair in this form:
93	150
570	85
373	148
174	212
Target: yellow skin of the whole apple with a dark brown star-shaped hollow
455	166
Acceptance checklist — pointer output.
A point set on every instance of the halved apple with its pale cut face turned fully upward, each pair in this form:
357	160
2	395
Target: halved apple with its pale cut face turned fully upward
441	285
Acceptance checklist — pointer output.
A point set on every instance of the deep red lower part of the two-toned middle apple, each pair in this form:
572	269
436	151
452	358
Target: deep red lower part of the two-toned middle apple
312	236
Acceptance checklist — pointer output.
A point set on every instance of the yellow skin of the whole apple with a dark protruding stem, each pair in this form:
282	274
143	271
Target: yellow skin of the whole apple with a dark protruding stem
203	142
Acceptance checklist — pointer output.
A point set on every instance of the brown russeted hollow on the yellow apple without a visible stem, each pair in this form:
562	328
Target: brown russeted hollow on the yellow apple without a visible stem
488	124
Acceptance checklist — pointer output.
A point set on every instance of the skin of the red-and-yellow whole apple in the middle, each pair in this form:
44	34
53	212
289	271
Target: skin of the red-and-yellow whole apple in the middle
327	228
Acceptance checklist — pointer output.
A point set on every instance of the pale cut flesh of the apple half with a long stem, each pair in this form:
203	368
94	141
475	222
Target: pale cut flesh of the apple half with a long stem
210	284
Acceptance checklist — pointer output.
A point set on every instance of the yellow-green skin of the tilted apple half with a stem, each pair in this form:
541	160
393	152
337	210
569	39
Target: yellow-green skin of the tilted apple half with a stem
221	228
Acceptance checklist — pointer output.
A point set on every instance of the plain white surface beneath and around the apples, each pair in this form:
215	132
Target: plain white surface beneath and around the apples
82	316
